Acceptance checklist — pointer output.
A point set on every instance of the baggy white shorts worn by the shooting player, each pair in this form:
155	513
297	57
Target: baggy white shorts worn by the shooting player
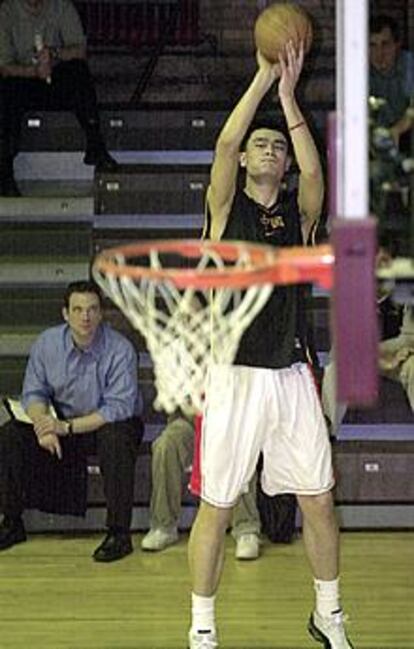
251	410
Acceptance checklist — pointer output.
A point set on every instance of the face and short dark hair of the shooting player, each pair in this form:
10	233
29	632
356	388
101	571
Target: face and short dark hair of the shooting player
266	154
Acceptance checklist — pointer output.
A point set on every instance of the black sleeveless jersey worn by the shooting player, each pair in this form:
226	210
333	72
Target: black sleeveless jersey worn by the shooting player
275	337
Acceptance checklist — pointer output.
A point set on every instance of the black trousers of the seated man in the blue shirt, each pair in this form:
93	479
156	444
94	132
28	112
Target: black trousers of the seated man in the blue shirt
32	477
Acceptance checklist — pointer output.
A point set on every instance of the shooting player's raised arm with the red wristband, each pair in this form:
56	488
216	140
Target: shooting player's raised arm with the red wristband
311	185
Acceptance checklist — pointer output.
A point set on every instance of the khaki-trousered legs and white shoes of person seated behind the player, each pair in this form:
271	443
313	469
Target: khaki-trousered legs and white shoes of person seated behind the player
172	455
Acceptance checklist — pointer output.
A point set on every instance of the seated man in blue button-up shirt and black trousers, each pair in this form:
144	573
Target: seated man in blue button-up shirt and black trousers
81	395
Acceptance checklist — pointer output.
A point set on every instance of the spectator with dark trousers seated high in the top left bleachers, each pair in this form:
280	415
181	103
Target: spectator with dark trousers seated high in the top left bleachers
43	67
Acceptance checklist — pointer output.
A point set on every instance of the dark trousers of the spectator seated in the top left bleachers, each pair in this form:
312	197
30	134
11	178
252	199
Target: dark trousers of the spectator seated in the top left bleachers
72	88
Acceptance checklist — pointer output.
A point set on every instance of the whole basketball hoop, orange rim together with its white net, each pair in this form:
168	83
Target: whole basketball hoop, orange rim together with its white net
192	300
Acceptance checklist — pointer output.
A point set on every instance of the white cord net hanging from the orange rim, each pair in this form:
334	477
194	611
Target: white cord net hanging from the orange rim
186	330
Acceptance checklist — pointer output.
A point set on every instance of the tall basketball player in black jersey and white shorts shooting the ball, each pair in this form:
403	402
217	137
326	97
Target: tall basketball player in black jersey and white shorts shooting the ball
267	400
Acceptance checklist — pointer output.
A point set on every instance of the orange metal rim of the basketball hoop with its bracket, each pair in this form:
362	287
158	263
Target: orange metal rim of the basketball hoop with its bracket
268	264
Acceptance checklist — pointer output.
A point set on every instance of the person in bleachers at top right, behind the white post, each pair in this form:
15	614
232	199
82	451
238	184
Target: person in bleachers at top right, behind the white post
391	77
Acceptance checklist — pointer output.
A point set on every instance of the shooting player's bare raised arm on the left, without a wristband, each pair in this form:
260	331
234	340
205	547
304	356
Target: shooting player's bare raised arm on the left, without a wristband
226	155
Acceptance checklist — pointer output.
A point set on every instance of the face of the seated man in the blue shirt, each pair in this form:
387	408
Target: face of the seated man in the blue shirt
83	316
